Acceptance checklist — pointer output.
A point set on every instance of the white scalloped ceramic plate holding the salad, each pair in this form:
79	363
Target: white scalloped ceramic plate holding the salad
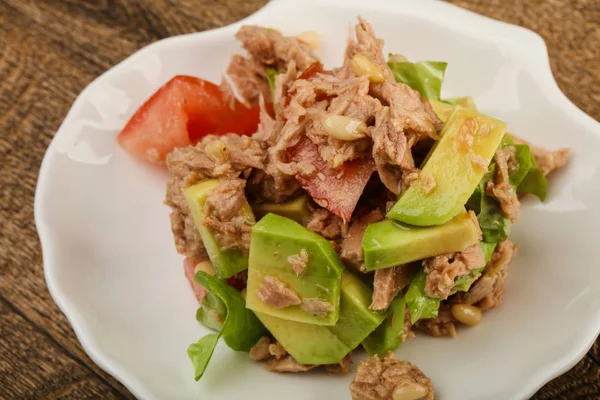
112	268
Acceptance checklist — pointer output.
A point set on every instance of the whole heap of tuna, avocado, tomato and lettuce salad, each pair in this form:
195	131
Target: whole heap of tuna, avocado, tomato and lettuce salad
324	213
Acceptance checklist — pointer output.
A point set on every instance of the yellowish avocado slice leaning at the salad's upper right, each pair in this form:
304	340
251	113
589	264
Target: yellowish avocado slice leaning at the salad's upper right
452	169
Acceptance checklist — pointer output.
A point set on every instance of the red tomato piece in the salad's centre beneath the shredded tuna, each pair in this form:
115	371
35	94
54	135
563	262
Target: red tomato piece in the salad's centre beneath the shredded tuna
337	190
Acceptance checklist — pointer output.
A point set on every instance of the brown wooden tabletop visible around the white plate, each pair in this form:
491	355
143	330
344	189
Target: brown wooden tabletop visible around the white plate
51	49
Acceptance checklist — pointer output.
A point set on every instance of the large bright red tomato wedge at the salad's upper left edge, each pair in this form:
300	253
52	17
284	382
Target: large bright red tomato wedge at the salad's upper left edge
180	113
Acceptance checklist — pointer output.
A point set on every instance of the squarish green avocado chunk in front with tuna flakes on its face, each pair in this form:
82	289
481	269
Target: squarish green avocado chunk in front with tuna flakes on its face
274	241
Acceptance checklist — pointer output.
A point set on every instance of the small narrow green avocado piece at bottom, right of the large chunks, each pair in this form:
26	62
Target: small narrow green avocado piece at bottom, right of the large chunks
390	334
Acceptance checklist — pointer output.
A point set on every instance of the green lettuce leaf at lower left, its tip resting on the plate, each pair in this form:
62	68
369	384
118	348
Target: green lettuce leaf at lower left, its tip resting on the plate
241	329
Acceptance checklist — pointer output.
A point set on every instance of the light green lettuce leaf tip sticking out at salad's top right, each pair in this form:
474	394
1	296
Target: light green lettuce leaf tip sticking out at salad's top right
426	76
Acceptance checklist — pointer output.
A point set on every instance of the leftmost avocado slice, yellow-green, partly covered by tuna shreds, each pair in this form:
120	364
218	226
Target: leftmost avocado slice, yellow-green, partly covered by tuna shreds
226	262
